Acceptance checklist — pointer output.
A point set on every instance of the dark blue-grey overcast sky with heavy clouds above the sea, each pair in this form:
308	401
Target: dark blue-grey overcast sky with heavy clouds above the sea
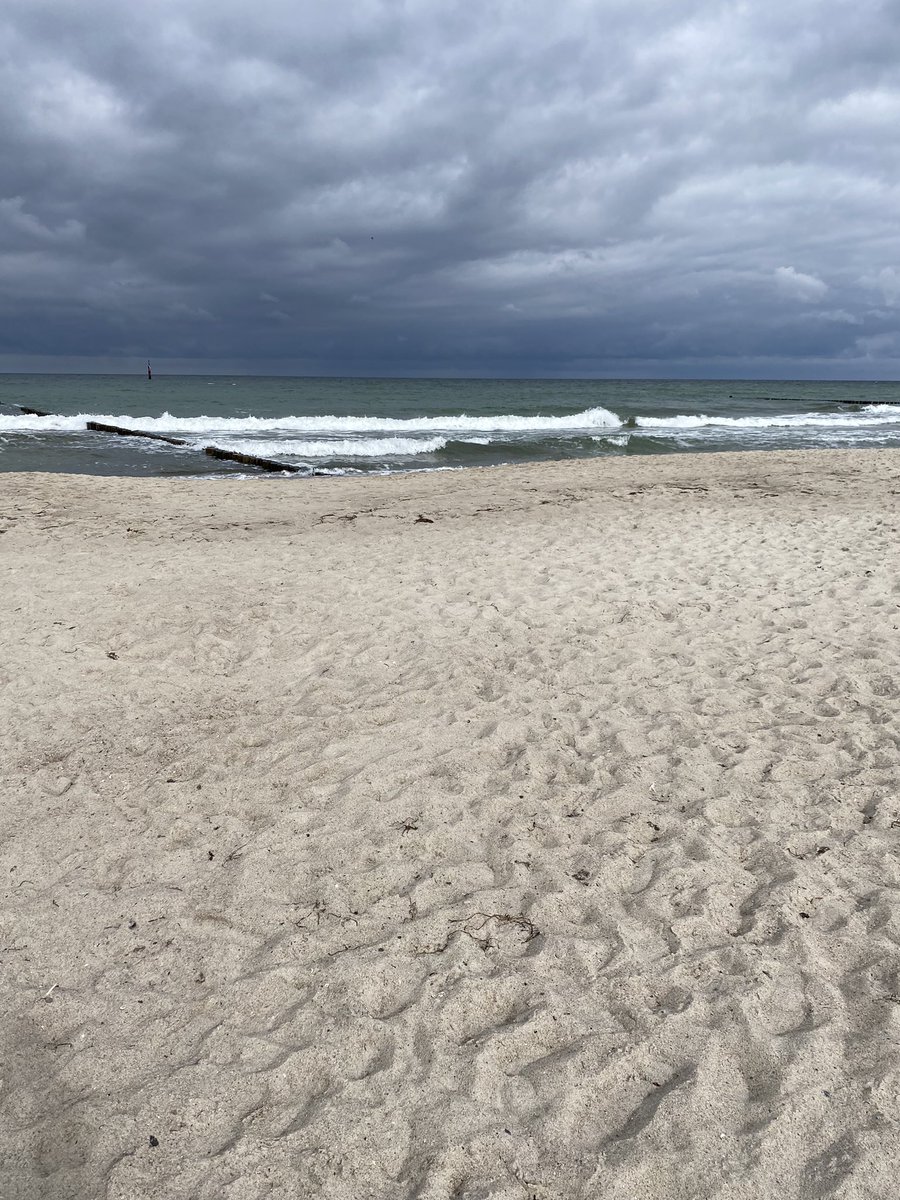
400	188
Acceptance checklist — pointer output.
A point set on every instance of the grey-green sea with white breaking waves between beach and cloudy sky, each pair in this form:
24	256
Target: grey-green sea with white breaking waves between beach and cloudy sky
358	427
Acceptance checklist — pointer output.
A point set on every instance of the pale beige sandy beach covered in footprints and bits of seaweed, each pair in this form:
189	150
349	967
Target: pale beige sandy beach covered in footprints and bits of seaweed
548	850
